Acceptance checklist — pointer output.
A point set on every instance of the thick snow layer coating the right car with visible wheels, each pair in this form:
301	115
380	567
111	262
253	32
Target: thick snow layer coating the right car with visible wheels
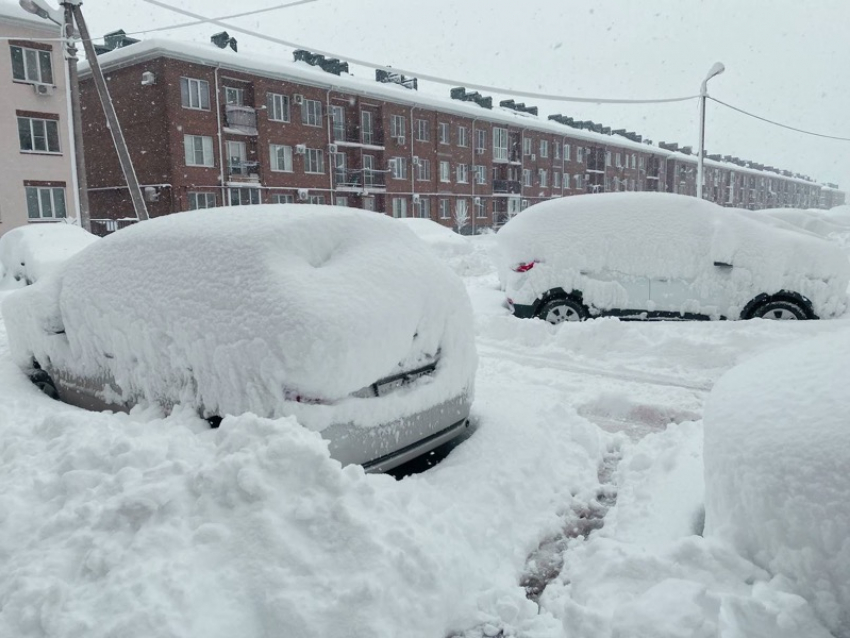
664	236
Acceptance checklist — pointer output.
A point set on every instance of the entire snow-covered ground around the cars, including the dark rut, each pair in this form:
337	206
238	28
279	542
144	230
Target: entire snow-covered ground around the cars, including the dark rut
147	526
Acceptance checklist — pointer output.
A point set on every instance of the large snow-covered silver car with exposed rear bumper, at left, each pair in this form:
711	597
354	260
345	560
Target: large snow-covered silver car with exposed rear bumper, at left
341	318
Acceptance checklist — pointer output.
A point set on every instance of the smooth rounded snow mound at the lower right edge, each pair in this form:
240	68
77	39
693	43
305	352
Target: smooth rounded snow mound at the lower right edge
777	448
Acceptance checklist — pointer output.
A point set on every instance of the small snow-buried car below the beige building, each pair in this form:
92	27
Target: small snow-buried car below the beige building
30	252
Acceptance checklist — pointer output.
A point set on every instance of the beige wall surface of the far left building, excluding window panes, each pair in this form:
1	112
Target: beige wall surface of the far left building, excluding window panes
38	170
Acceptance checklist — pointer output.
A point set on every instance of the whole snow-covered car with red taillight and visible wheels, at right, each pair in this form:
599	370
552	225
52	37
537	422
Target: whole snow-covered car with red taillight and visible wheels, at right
664	256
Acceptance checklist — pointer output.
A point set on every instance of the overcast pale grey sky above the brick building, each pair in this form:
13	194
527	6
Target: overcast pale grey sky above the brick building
788	60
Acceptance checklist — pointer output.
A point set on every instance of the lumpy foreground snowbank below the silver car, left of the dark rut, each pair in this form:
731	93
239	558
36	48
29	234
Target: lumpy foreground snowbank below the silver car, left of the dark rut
139	526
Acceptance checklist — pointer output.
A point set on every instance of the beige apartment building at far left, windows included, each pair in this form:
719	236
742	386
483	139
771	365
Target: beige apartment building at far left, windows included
36	185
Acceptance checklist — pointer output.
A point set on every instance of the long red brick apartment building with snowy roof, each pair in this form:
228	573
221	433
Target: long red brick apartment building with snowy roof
207	126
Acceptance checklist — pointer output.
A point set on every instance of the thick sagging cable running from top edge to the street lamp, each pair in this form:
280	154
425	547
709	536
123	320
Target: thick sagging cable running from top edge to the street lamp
431	78
